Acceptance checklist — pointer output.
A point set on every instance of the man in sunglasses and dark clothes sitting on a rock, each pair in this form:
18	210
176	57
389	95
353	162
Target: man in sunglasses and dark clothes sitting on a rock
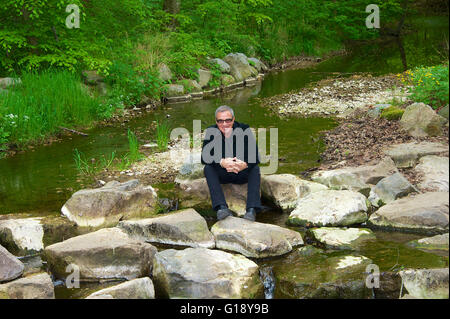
230	155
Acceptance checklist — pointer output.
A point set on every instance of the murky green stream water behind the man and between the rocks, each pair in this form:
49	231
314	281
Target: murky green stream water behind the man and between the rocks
39	181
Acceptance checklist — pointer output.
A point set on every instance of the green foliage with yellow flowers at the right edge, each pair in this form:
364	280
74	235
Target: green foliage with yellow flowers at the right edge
429	85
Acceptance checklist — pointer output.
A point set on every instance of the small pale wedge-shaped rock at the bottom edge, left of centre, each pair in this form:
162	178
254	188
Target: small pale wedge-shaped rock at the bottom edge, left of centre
140	288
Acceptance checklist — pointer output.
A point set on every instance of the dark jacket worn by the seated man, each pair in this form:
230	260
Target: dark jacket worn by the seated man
239	136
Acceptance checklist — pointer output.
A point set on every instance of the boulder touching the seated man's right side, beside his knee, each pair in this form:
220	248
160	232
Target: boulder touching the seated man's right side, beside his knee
286	189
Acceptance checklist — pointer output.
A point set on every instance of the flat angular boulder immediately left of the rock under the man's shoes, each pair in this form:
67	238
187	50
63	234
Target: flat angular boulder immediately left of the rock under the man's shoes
185	228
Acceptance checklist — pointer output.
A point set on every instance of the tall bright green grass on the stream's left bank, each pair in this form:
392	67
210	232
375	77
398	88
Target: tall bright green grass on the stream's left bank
44	101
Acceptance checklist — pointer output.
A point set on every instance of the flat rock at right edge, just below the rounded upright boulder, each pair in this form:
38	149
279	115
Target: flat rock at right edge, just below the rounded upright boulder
406	155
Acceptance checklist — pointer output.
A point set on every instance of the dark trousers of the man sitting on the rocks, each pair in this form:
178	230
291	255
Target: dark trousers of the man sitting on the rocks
218	175
